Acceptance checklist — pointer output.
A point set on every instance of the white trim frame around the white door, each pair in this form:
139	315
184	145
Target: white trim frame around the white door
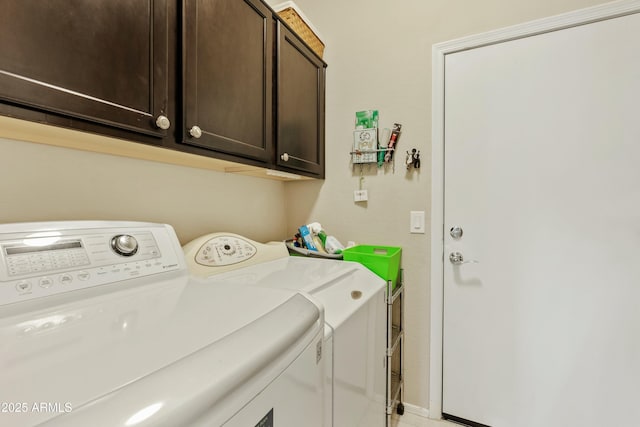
439	52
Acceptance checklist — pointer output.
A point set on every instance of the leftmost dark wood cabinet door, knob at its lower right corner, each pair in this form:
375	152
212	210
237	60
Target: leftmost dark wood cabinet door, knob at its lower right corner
100	60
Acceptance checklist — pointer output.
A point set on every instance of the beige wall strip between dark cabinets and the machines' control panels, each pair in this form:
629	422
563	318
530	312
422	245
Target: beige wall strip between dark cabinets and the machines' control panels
44	183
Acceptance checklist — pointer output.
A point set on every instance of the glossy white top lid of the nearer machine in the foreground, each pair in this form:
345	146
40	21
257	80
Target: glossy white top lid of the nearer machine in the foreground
174	348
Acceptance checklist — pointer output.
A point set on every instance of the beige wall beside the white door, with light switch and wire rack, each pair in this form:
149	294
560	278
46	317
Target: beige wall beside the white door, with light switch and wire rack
379	56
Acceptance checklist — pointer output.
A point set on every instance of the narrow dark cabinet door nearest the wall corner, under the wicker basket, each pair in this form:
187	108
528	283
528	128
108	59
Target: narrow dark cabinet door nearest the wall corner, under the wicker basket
300	129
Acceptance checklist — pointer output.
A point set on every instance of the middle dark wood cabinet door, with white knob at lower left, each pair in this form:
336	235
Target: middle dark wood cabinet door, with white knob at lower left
227	60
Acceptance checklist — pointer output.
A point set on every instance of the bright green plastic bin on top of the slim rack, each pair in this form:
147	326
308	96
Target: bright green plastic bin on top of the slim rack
382	260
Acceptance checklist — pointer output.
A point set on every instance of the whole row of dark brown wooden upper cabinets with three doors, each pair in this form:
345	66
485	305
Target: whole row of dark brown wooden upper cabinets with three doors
220	78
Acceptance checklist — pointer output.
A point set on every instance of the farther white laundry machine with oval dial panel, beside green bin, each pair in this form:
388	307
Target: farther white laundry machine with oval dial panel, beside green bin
355	315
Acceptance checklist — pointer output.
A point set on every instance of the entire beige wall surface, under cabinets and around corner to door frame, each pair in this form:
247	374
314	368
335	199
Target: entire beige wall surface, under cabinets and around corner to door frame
379	56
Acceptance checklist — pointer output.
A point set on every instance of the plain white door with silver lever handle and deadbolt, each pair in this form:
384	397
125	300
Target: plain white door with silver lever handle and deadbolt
542	173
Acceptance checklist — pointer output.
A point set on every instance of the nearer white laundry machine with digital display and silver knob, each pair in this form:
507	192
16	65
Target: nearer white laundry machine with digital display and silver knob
100	325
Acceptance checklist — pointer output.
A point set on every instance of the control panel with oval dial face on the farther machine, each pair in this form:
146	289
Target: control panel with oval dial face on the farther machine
220	252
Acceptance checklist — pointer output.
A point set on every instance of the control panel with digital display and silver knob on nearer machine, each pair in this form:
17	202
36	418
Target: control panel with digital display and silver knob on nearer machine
43	259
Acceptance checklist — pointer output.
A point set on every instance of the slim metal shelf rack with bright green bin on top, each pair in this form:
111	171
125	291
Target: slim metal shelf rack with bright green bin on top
385	262
